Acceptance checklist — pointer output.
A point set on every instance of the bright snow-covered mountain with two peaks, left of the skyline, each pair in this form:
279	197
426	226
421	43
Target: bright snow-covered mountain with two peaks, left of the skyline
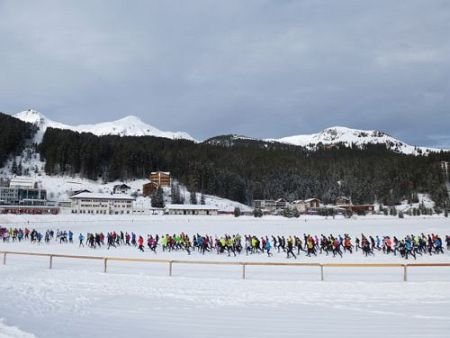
127	126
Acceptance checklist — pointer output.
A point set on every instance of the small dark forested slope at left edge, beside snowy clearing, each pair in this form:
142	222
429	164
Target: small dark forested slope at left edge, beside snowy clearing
13	136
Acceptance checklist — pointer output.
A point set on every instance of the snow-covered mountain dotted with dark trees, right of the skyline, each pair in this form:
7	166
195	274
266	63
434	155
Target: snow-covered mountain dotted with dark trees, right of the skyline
350	137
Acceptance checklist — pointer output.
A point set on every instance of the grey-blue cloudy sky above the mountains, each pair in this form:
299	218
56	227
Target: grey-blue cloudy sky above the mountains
264	69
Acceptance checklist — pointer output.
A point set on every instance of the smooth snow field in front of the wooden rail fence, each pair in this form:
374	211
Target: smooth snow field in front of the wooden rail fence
56	303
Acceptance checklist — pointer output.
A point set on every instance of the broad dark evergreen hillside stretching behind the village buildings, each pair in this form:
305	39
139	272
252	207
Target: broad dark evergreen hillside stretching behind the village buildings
250	169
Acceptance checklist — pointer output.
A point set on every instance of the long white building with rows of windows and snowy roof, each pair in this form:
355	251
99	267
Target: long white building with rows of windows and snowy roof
106	204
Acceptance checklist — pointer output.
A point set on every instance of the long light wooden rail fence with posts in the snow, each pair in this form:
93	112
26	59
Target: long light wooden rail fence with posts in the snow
243	265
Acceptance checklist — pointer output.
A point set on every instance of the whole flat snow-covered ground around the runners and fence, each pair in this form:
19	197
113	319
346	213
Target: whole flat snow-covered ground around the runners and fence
76	299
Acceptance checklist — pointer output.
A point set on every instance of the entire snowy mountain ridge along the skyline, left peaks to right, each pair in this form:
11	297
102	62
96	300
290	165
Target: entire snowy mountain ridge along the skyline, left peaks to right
134	126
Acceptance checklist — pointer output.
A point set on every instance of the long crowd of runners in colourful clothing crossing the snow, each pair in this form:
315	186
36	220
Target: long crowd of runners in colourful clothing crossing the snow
233	245
